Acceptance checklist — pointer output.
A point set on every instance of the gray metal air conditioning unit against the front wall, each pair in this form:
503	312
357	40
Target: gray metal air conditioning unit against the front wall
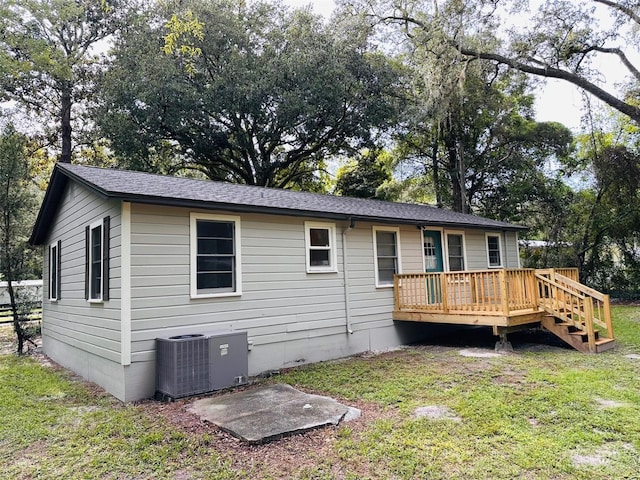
193	364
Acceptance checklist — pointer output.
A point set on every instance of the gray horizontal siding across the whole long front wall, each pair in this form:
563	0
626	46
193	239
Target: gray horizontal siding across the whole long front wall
280	301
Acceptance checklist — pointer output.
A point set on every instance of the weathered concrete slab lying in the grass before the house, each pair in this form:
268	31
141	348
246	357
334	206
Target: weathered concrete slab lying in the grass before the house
271	411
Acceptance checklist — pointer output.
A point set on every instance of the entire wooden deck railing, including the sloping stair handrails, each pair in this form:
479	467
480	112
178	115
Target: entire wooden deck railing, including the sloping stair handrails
508	292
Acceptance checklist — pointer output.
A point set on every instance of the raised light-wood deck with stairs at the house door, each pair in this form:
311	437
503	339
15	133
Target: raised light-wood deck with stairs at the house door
506	299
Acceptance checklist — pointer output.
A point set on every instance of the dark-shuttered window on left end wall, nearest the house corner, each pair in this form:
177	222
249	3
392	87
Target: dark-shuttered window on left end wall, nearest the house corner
97	261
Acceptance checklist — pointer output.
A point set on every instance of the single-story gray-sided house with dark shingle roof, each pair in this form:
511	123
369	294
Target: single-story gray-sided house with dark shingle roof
130	257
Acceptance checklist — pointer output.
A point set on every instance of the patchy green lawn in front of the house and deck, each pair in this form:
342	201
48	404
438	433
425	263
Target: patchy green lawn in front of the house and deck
535	414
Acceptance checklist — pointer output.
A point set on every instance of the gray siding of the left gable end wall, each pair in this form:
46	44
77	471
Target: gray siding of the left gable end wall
72	321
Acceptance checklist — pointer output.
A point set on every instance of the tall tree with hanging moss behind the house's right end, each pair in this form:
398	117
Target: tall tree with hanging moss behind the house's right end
477	139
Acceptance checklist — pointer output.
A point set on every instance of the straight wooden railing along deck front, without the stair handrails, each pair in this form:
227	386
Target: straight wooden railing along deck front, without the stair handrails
481	292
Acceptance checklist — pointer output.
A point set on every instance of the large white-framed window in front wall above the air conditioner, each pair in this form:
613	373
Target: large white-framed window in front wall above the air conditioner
215	255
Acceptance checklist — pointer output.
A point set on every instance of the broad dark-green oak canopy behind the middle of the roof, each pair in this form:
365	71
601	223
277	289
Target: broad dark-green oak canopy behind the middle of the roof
254	93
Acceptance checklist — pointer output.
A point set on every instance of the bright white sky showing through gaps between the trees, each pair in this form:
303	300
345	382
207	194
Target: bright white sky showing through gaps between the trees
556	100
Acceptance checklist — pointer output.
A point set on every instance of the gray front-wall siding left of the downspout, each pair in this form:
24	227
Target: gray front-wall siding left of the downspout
280	301
